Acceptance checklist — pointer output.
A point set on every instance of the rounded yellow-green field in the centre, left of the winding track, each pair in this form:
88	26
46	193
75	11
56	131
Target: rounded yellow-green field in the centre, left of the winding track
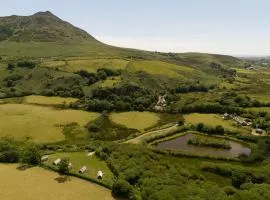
135	120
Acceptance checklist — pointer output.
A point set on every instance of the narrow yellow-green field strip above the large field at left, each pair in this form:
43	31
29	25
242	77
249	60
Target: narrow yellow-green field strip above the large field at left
42	100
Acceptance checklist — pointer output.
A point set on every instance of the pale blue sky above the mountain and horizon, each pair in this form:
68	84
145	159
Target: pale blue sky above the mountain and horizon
236	27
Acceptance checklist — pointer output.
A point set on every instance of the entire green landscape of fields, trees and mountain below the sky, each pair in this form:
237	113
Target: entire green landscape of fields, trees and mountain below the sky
130	115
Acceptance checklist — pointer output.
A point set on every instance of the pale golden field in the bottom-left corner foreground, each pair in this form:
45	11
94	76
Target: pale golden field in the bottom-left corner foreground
39	184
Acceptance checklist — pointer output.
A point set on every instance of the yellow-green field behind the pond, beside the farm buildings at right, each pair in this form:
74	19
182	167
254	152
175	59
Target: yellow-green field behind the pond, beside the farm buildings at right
211	120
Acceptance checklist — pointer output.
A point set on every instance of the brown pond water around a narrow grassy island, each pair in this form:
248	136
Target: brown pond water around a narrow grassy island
181	143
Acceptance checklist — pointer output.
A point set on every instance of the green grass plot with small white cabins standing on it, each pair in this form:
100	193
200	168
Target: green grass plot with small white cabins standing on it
93	164
